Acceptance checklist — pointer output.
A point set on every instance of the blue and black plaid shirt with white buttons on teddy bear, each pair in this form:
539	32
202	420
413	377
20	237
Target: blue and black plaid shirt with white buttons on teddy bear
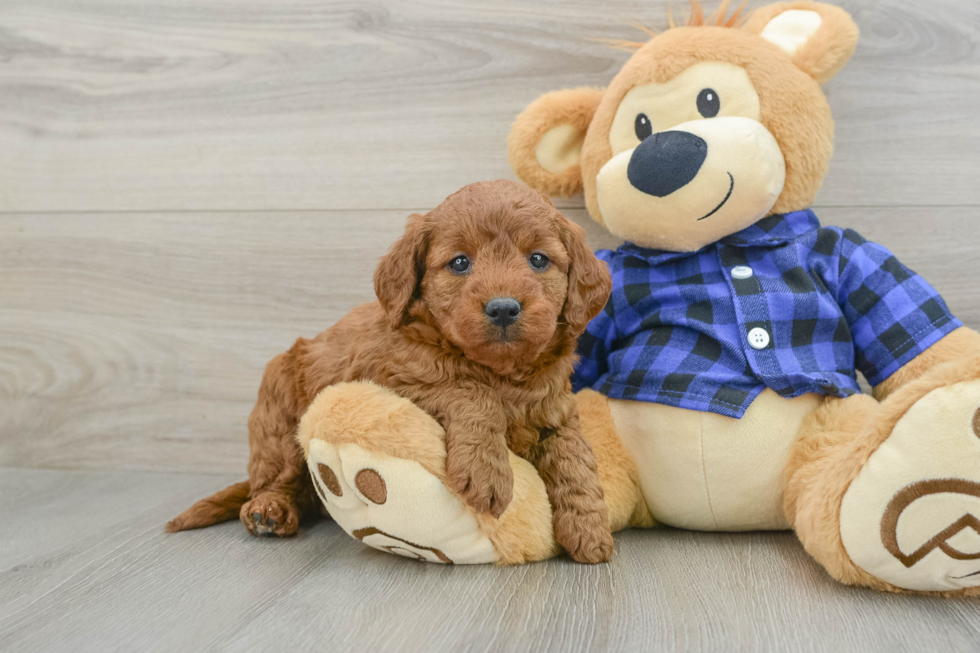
676	329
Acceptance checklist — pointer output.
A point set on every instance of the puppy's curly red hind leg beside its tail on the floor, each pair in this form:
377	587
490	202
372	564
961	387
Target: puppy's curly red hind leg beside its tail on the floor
281	489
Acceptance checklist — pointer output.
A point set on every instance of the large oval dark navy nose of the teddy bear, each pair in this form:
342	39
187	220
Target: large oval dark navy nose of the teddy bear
666	162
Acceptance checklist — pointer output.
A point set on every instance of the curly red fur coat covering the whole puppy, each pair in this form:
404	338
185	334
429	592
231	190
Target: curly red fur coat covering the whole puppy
428	339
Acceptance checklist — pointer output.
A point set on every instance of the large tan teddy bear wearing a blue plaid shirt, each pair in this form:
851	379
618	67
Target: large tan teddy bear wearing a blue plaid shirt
718	387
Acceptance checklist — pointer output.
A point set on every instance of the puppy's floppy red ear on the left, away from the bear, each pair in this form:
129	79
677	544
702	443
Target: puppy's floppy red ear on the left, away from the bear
398	279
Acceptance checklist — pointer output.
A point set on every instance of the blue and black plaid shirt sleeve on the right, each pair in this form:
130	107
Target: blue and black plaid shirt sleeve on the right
893	314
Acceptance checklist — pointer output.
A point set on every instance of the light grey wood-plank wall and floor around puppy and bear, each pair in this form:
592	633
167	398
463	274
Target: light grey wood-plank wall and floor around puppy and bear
185	187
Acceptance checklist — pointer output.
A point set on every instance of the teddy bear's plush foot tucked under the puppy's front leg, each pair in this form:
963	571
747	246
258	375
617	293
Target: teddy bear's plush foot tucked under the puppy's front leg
378	464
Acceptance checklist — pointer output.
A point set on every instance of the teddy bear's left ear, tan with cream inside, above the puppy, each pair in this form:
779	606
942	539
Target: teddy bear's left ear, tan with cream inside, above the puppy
545	142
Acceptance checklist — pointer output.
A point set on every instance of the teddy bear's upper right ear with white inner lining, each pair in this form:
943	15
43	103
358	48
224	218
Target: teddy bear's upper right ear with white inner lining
818	37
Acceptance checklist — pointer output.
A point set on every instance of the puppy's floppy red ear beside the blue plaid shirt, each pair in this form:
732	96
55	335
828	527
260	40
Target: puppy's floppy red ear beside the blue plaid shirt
589	282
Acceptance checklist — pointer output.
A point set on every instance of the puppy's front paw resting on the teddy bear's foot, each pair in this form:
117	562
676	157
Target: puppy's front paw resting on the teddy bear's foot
484	487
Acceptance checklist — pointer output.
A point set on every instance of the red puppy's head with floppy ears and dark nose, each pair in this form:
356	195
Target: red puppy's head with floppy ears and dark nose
498	270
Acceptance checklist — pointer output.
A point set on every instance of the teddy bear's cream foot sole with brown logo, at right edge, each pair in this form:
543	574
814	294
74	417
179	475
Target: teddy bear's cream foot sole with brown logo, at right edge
911	517
